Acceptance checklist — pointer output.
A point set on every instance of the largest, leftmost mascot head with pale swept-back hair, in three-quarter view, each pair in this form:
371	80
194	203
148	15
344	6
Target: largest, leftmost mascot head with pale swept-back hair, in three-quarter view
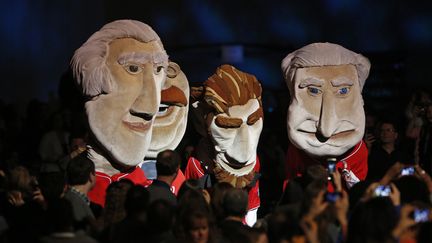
121	69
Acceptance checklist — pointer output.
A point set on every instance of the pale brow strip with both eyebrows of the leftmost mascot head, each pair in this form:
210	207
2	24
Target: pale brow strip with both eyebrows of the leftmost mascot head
143	57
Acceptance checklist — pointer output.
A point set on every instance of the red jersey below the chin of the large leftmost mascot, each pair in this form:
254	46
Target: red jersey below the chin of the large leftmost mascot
97	194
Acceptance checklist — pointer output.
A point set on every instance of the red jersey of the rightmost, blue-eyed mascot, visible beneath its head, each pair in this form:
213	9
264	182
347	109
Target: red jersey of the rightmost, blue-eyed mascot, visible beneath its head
352	164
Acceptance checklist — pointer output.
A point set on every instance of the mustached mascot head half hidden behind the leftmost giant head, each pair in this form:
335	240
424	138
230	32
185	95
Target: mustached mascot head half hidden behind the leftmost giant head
170	123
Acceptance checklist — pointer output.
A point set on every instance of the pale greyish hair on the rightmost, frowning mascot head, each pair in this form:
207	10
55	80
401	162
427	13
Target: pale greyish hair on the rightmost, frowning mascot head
323	54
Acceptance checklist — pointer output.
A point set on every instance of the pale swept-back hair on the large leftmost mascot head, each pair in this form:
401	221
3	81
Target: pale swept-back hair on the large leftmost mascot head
88	62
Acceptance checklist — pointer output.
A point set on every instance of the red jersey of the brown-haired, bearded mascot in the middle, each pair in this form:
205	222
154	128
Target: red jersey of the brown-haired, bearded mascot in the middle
195	171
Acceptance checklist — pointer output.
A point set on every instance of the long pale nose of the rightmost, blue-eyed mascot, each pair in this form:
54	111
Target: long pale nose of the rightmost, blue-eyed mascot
328	118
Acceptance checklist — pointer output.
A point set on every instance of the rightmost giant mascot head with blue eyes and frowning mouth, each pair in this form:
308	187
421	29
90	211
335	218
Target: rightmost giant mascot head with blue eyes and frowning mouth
325	116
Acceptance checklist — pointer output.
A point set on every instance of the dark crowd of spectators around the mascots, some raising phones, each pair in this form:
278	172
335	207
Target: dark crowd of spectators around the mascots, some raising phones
44	180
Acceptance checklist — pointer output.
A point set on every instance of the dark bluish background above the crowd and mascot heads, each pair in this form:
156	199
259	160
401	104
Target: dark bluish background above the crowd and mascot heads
38	38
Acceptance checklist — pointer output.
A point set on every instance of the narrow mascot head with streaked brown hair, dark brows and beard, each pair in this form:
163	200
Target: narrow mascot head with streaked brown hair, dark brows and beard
234	120
